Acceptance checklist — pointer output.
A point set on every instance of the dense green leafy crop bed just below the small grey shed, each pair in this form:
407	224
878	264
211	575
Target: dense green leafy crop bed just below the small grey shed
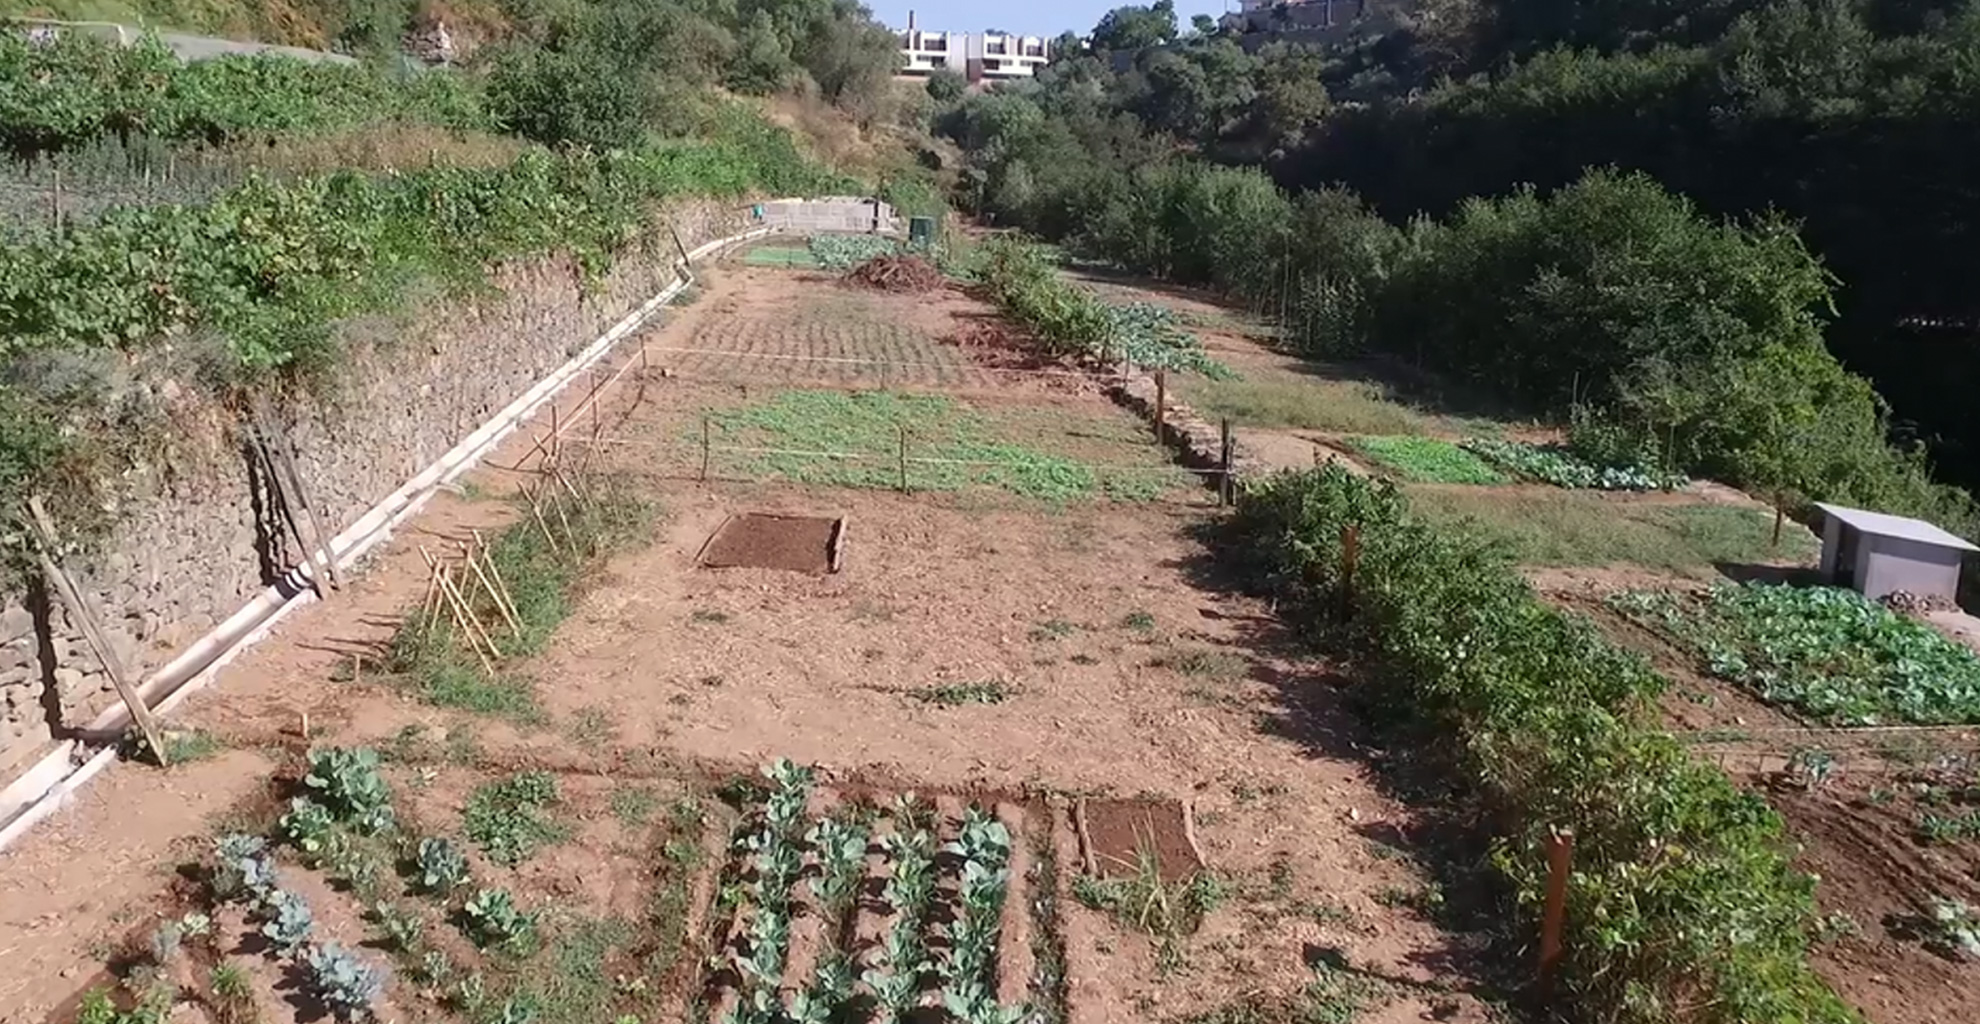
1825	653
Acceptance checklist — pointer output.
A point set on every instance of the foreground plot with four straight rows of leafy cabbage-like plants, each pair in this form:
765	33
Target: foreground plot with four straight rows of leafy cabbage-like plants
839	910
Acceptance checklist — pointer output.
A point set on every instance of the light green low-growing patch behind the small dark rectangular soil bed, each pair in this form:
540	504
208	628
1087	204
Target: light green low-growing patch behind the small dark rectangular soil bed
870	427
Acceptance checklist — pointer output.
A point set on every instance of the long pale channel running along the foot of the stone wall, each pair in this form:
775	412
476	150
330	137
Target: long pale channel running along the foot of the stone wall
54	779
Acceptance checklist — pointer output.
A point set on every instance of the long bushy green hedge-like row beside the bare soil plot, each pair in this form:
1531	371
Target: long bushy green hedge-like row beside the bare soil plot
1684	902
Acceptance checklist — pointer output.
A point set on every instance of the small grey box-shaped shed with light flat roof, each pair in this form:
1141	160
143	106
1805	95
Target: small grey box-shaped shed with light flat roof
1878	554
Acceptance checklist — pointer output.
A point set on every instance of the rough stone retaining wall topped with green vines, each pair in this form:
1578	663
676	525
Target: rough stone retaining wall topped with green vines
199	542
